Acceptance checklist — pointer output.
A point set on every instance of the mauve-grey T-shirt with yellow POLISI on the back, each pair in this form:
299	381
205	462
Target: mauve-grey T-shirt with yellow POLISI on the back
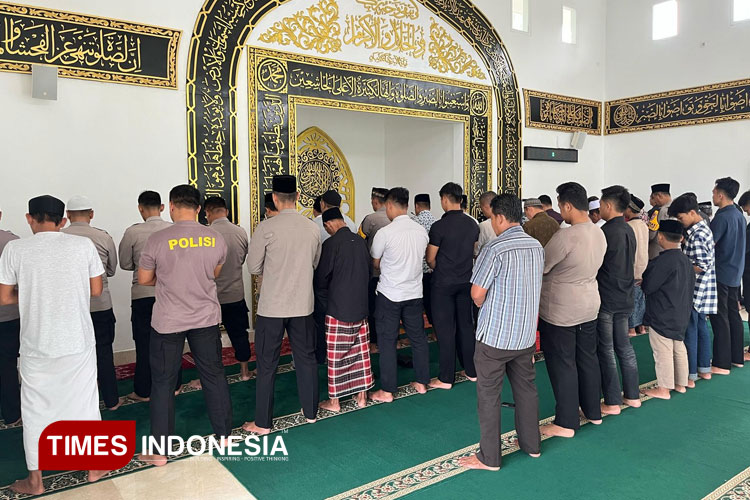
184	257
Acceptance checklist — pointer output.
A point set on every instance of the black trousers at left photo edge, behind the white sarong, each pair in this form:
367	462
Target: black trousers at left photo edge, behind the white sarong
10	390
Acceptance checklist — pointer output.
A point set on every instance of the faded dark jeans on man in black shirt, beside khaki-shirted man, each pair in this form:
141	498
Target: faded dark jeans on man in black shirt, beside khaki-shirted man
612	331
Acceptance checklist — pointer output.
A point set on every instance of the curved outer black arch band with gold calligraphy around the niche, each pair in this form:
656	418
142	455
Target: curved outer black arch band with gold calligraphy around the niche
220	32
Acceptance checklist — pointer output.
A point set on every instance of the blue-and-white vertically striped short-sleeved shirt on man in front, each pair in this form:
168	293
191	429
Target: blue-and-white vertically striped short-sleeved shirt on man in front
510	268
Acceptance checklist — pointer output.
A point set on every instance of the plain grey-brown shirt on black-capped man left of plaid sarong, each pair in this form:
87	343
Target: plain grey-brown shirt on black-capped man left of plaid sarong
285	250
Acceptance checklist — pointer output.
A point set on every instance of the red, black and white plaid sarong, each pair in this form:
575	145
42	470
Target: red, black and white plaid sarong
349	369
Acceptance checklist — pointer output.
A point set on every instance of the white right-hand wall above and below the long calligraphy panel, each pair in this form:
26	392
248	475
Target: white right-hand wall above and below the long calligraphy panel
708	49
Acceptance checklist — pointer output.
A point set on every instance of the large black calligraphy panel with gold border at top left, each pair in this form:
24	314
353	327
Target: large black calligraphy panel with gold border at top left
87	47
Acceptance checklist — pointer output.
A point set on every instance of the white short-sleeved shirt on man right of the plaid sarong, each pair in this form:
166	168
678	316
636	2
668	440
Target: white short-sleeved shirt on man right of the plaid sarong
400	246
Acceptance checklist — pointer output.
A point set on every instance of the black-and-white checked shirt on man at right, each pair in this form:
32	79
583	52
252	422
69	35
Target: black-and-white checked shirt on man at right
699	248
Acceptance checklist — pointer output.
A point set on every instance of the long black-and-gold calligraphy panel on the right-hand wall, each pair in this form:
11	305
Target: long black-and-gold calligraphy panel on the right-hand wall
708	104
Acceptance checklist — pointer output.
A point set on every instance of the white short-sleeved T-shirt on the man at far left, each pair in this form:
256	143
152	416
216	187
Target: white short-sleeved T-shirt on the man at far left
52	271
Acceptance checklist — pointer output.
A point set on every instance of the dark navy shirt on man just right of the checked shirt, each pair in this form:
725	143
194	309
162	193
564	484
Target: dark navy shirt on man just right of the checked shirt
728	228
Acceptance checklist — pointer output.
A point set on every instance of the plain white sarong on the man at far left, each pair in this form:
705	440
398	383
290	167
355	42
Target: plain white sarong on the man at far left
55	389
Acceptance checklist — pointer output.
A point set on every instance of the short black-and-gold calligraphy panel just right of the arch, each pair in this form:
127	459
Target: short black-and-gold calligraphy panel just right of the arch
559	112
